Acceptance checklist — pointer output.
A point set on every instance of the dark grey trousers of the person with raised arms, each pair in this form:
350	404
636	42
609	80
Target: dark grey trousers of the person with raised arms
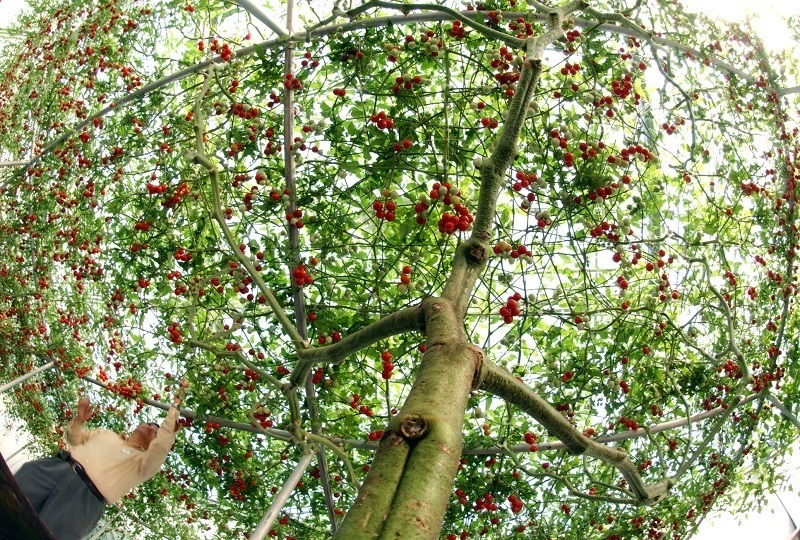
63	500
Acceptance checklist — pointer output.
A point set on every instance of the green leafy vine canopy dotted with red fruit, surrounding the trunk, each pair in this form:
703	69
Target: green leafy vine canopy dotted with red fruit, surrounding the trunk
645	238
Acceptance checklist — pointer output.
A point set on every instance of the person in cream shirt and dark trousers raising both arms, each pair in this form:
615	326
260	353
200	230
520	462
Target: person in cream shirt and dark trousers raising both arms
70	491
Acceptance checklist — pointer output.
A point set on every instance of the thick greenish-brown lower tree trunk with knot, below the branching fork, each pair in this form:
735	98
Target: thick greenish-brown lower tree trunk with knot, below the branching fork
407	490
